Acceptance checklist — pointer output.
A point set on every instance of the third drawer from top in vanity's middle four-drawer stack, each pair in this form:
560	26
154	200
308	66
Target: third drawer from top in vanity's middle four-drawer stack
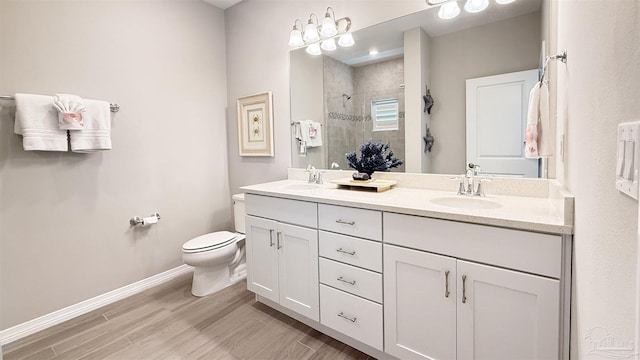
364	283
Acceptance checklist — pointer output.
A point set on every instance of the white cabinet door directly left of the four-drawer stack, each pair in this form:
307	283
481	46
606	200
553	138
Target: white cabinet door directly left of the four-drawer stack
298	269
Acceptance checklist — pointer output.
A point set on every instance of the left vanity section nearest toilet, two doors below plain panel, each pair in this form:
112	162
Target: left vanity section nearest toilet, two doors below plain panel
282	252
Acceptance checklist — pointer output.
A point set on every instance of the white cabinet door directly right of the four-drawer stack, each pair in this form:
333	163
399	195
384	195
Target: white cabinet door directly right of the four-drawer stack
419	313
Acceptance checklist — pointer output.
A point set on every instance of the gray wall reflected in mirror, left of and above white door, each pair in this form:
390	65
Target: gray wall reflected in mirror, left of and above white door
502	47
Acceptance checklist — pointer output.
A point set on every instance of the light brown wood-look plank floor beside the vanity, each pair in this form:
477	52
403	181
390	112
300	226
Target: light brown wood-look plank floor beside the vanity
167	322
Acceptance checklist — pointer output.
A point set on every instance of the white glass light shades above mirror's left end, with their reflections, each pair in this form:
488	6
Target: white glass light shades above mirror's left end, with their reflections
316	37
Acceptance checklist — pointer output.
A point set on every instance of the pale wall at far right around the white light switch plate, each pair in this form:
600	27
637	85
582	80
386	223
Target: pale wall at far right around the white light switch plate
599	88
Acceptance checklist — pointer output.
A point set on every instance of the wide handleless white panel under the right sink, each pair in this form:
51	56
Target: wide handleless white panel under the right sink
515	249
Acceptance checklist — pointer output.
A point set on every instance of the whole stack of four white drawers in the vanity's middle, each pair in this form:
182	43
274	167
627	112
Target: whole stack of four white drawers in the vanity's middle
350	272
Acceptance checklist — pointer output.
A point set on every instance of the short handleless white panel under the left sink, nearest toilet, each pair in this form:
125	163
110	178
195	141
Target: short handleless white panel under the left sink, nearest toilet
285	210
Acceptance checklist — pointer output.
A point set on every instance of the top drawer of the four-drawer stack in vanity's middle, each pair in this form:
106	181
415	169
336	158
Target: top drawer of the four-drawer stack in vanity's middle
350	221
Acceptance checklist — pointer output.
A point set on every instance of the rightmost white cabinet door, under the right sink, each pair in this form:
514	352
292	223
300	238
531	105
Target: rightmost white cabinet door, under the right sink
504	314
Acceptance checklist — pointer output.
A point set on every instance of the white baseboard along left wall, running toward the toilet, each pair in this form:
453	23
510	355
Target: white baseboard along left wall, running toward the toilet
32	326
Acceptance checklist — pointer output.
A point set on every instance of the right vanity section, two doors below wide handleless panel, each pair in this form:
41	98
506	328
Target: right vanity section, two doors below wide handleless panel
465	291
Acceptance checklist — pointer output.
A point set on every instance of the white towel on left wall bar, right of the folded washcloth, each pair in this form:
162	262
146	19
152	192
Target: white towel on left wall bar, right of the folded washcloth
96	132
